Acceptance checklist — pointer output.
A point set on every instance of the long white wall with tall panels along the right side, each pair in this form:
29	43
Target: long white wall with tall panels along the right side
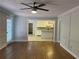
69	31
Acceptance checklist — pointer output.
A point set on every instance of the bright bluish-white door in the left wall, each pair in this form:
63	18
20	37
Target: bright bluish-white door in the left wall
9	29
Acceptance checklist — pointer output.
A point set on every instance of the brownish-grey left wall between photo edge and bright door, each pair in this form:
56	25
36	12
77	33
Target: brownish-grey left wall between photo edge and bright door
4	14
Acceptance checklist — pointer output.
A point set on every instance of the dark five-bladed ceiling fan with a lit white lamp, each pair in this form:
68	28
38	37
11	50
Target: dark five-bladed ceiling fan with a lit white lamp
34	7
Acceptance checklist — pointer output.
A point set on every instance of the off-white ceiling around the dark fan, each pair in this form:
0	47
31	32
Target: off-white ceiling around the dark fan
56	7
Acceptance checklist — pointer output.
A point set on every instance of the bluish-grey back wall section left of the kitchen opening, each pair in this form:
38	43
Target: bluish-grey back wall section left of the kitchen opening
20	28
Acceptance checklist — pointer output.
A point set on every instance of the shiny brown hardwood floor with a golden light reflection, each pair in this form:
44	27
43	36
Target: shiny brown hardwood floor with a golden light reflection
34	50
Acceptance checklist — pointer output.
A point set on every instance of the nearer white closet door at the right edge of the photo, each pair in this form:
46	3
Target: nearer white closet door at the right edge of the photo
74	38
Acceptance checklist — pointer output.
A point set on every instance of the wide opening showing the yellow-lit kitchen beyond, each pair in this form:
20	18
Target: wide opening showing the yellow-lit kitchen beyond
41	30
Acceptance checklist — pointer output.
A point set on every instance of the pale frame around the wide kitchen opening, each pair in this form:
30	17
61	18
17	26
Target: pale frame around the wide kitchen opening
55	29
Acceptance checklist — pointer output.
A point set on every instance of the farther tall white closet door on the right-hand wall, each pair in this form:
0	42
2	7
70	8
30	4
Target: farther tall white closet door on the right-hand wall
65	30
